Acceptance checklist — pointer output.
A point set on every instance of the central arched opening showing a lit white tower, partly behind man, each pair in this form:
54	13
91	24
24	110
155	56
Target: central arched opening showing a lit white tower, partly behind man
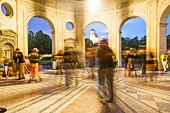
93	34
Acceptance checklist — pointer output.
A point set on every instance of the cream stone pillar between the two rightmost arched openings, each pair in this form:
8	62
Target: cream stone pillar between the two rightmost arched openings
152	37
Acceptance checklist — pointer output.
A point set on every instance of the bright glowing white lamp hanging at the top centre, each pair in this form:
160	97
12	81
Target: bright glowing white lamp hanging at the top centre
93	6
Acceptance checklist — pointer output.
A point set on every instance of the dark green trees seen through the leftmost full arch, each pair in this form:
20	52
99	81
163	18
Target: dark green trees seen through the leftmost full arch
41	41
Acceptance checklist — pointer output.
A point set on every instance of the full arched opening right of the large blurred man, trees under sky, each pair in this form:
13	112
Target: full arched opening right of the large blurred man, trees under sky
133	39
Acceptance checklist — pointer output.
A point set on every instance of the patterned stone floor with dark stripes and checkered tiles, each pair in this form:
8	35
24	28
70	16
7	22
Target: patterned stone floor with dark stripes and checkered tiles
132	94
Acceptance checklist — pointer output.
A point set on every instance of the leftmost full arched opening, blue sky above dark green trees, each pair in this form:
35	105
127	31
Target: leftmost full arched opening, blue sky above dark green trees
39	35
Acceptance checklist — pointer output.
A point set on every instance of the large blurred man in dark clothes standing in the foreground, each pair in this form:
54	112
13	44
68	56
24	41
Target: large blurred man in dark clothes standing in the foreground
104	54
